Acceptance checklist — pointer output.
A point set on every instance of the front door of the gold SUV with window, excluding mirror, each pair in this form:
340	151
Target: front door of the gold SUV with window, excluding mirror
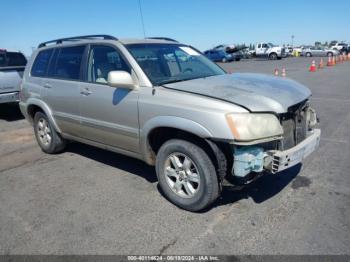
108	115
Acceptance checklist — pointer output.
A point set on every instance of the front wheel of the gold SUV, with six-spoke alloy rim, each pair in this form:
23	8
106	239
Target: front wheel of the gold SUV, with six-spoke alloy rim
177	185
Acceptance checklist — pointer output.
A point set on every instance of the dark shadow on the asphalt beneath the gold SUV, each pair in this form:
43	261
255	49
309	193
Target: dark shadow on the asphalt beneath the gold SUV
264	188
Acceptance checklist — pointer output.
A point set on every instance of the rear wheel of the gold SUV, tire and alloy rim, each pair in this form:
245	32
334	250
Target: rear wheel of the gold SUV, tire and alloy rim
48	139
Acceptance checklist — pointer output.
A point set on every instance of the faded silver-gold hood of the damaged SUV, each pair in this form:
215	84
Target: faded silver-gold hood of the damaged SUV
255	92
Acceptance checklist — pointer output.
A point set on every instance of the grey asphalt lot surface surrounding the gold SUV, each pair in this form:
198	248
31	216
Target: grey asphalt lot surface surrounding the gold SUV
91	201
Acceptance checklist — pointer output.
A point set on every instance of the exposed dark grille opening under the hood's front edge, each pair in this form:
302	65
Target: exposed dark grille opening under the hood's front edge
294	124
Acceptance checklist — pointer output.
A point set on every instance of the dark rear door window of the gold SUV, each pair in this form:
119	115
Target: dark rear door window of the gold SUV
67	64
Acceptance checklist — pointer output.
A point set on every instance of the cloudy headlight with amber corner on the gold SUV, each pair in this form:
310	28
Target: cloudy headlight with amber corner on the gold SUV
247	127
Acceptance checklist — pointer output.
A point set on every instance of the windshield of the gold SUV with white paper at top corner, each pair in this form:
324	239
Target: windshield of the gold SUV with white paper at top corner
169	63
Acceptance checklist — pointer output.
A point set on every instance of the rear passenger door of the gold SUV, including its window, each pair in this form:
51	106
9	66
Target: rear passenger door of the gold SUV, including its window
61	87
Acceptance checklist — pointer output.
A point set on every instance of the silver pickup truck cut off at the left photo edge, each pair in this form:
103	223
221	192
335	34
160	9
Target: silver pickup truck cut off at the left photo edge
12	64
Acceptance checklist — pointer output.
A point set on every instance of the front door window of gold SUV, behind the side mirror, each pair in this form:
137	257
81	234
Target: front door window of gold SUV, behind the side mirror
102	60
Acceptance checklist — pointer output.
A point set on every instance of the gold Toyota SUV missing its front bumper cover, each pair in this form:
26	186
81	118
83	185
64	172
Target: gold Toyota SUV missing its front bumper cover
199	126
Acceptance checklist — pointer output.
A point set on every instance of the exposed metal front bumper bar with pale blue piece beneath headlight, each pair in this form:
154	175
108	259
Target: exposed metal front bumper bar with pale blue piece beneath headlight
255	159
